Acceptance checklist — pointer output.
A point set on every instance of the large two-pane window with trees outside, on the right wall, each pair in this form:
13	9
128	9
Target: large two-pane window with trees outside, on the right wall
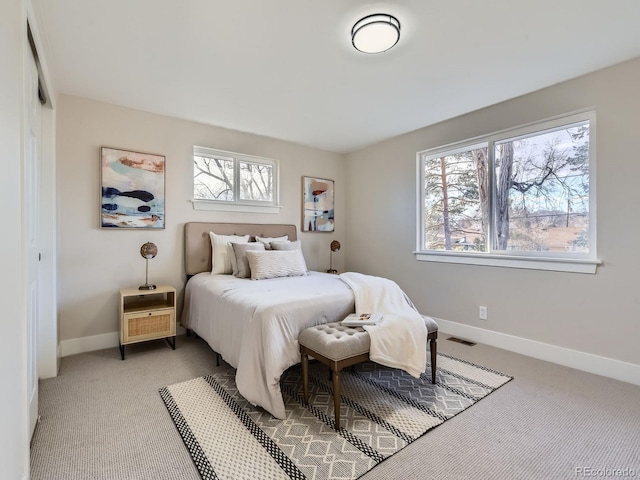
522	197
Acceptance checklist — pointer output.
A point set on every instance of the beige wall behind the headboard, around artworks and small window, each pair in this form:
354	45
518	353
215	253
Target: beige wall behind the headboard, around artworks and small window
95	263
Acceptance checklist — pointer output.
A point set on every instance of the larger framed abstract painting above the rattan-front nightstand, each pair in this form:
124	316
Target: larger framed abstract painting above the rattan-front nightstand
132	185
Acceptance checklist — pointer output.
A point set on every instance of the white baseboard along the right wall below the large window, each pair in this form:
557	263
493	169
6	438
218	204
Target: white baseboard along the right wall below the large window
607	367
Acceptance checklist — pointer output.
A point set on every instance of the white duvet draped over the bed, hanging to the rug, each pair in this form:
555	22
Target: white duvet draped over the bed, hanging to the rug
255	325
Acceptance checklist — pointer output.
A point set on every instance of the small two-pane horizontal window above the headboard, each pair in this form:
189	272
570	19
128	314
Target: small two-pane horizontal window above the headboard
230	179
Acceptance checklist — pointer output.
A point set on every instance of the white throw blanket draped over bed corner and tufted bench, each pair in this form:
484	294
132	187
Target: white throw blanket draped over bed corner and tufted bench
400	339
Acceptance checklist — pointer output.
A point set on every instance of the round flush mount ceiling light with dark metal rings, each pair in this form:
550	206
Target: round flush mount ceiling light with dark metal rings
375	33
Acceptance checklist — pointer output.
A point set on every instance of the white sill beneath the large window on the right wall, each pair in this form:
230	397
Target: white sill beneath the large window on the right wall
552	264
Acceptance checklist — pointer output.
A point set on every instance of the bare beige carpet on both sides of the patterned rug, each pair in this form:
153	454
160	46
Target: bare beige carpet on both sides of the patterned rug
103	419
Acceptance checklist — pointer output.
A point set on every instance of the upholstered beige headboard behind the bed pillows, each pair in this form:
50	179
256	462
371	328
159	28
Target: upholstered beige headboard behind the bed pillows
197	243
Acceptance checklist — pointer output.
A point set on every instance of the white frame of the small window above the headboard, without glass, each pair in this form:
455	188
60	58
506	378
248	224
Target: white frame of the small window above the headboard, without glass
238	205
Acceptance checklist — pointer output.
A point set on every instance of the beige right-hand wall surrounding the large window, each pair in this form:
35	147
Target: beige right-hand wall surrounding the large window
597	314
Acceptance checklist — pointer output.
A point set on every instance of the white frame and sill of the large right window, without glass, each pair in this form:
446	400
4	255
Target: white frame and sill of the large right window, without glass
569	262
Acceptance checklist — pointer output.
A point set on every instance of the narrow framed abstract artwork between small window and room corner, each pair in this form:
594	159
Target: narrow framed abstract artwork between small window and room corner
317	204
